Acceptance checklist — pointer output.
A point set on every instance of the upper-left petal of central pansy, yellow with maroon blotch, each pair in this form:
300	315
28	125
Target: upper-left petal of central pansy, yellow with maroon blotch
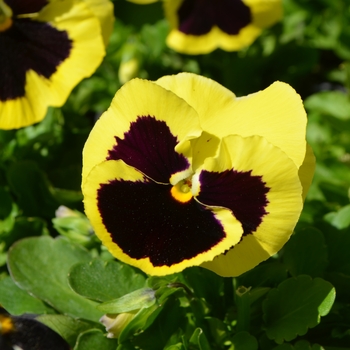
148	127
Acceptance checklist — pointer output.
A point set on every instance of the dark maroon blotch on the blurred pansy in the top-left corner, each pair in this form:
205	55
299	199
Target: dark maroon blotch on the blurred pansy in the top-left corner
29	45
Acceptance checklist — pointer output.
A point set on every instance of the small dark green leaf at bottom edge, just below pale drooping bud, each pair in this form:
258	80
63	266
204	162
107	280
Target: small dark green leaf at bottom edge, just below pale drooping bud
95	339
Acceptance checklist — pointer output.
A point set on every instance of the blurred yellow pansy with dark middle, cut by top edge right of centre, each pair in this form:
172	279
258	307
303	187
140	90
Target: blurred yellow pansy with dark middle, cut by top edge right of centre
199	27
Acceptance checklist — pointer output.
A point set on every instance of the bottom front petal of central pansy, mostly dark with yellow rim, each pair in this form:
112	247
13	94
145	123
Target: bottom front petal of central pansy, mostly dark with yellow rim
141	224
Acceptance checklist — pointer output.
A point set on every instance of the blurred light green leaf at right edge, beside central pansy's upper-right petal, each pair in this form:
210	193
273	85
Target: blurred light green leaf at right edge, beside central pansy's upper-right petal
333	103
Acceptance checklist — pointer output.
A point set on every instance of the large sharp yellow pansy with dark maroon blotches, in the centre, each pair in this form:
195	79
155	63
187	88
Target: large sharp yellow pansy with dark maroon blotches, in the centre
172	179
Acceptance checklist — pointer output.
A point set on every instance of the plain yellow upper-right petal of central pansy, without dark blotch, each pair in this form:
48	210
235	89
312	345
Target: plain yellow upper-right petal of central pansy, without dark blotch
276	113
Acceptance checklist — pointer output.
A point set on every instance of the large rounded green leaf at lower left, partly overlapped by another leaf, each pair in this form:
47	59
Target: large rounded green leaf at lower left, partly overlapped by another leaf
40	265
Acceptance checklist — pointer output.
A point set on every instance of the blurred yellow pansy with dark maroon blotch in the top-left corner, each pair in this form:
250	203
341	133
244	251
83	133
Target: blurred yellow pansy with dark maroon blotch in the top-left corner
47	49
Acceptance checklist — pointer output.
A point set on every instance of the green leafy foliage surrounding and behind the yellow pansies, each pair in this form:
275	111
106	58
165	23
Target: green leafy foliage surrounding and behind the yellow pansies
286	303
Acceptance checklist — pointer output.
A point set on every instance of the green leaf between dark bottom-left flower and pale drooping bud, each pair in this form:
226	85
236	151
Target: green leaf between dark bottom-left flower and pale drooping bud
68	327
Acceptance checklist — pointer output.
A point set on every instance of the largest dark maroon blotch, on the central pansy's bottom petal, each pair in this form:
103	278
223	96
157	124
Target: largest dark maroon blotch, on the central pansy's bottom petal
144	220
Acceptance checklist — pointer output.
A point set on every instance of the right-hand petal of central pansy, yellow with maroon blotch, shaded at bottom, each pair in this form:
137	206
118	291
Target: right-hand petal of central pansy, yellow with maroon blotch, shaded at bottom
261	186
